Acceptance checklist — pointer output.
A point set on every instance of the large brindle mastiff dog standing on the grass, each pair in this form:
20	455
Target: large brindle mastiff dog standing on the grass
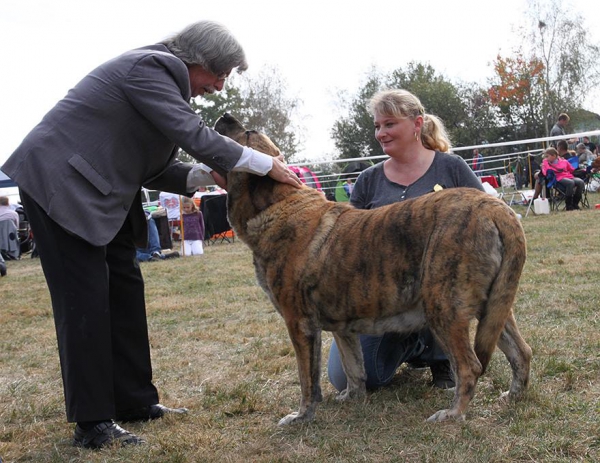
440	260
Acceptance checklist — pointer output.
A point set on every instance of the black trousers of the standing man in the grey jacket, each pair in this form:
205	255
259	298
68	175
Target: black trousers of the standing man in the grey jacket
97	295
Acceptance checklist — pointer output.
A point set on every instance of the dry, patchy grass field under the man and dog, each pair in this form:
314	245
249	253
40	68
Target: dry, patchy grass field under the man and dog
221	350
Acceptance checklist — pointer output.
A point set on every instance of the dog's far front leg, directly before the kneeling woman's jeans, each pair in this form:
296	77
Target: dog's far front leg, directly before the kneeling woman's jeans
354	366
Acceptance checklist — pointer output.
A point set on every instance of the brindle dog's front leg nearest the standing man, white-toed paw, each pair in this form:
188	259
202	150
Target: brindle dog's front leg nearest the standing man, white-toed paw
306	338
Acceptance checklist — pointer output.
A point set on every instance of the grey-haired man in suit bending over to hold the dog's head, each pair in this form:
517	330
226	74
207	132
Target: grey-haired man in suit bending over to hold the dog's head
80	173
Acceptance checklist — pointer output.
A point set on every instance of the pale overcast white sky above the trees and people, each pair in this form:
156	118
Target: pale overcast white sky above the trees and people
319	47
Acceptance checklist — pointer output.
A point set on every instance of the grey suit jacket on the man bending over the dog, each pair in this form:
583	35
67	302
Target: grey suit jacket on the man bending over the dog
114	132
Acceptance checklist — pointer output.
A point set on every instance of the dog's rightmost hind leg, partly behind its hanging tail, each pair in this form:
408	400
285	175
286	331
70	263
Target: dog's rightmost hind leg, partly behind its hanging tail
519	356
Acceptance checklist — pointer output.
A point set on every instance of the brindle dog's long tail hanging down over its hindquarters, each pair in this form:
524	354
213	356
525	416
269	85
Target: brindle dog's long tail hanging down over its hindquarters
503	290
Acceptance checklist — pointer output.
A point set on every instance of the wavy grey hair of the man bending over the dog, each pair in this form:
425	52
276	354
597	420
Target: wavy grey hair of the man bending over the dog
210	45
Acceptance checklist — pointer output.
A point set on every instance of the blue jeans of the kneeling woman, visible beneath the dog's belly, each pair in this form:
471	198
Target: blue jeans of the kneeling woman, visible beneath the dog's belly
384	354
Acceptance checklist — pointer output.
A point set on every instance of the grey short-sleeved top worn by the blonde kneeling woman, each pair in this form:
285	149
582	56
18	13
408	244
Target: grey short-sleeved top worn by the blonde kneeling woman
373	189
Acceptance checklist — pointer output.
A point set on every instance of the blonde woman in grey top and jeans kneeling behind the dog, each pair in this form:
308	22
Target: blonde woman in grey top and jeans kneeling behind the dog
419	163
